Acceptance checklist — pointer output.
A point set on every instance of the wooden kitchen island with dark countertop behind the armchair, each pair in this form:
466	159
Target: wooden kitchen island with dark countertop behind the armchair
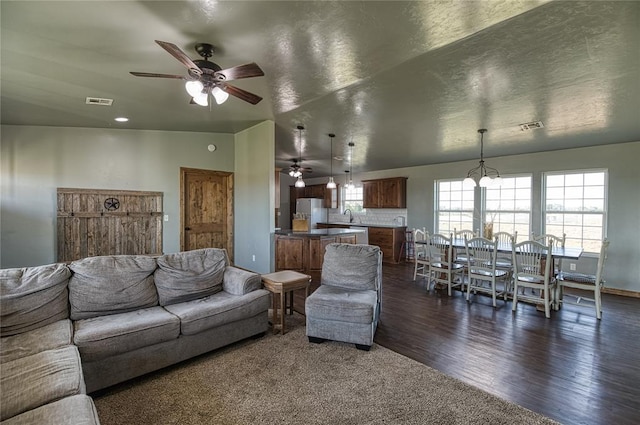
304	251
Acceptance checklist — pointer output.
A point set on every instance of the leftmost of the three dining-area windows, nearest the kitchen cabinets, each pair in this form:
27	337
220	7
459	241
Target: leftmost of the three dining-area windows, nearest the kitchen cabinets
454	206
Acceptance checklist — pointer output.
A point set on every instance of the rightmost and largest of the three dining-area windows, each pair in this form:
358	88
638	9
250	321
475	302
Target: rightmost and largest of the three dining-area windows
575	203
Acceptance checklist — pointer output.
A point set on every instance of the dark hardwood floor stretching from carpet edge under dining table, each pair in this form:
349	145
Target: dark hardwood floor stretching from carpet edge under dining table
572	367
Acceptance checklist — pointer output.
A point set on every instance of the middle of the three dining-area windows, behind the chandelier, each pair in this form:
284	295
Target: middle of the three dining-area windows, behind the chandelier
509	206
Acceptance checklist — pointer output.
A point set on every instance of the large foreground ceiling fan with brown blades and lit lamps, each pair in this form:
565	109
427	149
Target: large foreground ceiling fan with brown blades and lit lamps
205	77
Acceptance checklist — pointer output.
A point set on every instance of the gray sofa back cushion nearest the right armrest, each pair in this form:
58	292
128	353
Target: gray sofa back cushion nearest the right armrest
188	275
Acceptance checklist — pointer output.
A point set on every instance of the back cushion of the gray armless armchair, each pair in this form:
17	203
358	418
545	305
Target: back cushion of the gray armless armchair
350	266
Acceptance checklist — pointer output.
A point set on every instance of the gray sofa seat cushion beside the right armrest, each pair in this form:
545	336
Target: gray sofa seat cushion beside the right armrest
219	309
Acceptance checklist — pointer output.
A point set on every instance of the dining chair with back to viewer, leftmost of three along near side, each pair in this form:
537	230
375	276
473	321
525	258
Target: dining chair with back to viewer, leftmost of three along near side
442	268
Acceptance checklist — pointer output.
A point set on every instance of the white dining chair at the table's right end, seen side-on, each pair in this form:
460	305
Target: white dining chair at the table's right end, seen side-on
586	282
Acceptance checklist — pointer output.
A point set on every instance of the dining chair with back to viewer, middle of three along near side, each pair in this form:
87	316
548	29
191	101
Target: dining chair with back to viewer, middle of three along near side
481	269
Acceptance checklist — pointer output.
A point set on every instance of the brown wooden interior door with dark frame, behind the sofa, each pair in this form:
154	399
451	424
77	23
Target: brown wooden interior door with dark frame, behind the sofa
206	206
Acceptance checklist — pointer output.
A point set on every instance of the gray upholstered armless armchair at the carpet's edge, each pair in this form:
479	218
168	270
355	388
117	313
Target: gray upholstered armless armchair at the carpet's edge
346	306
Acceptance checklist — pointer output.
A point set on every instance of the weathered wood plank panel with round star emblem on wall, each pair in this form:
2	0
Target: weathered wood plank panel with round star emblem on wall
95	222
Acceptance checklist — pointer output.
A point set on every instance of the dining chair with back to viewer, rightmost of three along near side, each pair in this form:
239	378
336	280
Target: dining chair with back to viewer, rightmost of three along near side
532	269
